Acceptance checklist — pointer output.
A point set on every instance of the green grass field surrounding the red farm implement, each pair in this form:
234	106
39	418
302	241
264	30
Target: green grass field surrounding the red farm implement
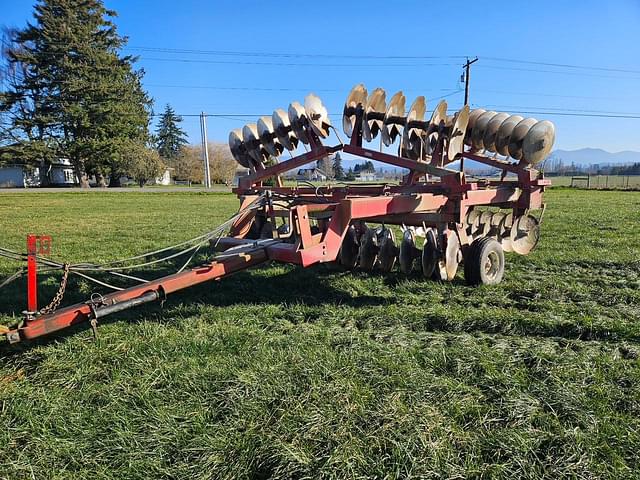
320	373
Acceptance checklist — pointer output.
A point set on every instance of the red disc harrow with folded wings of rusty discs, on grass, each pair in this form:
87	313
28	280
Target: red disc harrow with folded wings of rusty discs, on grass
427	225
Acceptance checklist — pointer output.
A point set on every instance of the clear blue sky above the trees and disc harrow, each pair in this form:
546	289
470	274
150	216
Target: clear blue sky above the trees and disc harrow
578	33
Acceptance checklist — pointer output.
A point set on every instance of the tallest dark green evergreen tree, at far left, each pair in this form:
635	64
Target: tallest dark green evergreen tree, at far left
71	95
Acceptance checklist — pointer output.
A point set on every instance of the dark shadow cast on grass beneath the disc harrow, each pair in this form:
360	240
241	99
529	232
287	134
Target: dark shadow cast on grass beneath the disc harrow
310	287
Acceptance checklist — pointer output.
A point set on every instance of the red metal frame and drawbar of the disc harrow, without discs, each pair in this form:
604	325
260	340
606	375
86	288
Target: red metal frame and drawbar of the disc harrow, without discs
443	205
